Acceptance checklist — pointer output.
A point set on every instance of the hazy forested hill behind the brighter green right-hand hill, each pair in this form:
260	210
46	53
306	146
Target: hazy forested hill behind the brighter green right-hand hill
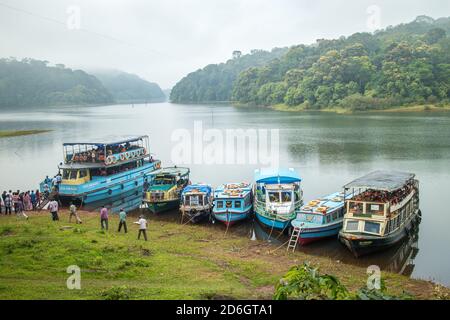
215	81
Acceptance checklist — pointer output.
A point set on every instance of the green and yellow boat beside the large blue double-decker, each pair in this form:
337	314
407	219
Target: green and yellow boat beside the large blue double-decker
164	191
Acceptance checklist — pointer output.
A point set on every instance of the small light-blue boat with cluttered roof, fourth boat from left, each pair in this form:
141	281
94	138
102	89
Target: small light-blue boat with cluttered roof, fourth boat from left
233	202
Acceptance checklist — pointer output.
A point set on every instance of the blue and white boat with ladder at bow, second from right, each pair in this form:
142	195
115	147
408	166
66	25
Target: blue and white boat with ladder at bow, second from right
321	218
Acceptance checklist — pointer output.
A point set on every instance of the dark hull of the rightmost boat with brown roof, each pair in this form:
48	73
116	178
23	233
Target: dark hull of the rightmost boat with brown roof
361	245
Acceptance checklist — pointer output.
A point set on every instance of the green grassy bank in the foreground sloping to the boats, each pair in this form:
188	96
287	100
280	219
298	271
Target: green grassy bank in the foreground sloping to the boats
178	262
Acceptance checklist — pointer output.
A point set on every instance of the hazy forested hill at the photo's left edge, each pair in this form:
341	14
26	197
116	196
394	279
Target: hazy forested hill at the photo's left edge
33	83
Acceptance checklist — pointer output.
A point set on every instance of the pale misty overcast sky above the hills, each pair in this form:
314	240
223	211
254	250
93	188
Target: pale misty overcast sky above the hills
163	40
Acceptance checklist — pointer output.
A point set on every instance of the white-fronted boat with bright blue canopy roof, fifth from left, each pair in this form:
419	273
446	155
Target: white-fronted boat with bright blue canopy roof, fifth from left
278	197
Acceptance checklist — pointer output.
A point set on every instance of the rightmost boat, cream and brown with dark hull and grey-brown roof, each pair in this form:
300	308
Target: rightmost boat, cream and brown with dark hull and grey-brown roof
383	211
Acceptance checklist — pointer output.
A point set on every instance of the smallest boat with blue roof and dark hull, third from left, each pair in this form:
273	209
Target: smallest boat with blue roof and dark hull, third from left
196	202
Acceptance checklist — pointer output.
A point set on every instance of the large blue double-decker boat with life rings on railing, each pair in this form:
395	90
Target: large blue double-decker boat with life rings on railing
96	171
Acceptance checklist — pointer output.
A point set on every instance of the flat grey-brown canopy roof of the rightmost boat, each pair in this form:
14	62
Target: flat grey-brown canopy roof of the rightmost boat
382	180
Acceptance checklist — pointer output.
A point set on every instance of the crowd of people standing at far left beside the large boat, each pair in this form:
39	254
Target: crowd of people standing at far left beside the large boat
19	202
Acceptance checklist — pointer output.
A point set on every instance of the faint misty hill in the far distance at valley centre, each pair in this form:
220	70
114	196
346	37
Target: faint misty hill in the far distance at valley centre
126	87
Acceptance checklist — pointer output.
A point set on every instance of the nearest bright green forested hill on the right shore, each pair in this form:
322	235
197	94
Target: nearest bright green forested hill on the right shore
403	65
